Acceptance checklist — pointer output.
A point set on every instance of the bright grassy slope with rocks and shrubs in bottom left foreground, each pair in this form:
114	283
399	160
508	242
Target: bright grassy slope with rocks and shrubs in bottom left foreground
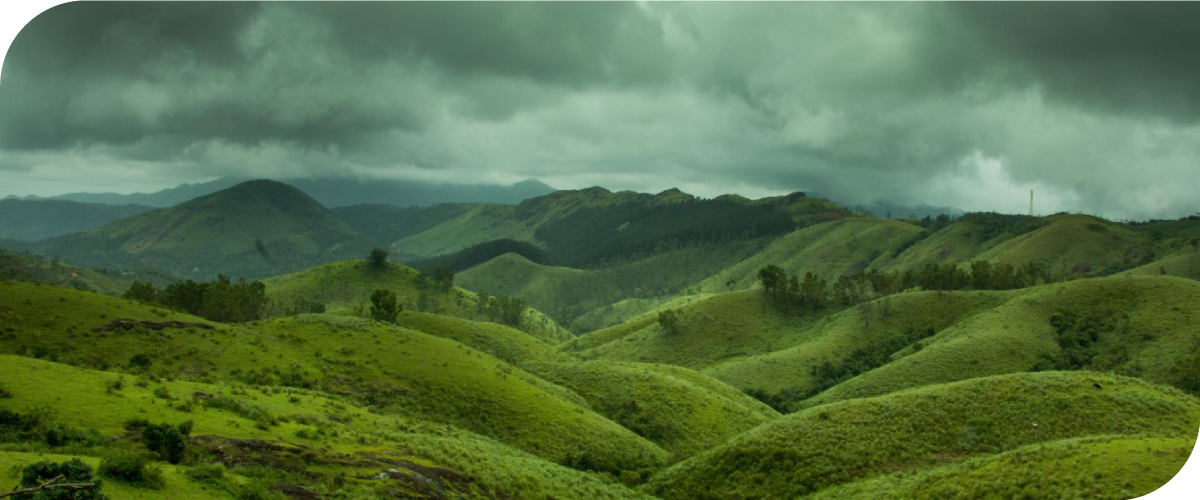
291	437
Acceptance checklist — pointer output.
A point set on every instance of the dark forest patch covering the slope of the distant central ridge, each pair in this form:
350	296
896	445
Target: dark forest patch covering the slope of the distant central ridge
595	236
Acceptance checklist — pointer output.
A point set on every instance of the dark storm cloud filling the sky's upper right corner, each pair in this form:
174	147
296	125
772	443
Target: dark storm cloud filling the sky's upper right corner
1117	56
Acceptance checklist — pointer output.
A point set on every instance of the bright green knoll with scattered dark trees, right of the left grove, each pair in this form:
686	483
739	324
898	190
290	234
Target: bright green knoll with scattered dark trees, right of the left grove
345	288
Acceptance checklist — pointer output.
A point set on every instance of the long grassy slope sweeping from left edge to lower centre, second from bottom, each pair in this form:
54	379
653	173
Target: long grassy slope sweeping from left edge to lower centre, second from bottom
399	371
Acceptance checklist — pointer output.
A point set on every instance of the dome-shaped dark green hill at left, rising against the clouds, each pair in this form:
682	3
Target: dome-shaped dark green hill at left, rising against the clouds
254	230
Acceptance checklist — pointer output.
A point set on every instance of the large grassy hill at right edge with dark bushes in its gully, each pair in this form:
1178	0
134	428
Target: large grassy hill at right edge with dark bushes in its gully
1149	332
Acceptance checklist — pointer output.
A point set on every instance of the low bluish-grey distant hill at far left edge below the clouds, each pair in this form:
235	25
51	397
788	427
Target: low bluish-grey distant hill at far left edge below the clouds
39	220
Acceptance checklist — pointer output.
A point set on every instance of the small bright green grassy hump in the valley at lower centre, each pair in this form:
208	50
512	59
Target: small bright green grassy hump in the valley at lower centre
681	411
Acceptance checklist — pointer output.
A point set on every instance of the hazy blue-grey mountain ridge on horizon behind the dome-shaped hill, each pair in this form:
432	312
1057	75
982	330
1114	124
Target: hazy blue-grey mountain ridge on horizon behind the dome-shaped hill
338	192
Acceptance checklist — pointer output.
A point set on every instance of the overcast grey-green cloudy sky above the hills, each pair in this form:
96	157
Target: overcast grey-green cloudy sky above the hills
1094	105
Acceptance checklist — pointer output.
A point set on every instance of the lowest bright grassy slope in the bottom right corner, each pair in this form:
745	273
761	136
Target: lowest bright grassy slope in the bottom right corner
1095	468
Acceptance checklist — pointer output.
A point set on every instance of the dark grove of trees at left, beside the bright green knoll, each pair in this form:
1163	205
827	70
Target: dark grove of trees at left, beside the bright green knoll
219	302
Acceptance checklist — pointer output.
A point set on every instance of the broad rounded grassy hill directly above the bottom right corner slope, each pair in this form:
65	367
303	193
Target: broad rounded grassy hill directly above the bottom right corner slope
838	444
